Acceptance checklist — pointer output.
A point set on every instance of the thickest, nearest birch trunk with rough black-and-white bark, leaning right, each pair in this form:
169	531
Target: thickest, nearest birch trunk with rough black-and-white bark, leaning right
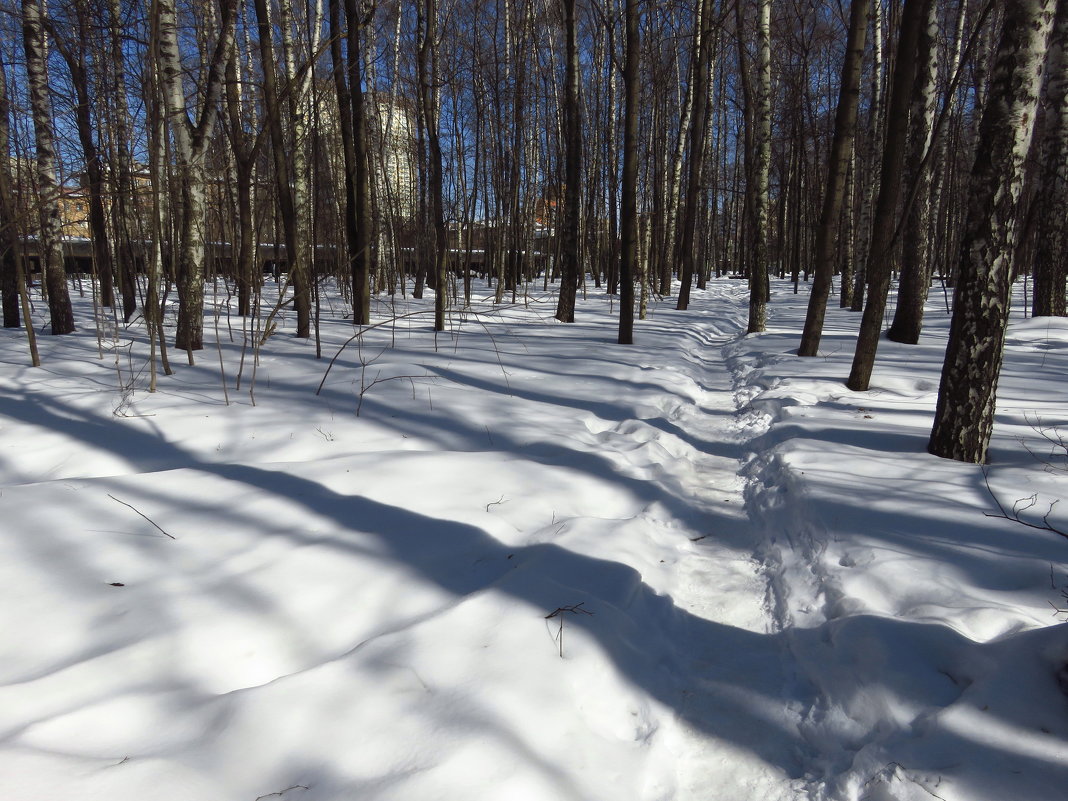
965	415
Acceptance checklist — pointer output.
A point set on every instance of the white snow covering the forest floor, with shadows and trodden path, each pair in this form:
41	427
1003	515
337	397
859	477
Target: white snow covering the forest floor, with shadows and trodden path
537	566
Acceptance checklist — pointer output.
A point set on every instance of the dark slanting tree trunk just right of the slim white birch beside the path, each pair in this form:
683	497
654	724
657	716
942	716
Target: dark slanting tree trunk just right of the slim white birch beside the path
842	149
